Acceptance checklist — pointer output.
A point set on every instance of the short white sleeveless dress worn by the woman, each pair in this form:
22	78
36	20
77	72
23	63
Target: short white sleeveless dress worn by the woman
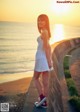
41	63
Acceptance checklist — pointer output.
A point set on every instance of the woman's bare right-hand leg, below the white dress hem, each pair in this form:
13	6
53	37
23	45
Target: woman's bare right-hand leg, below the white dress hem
45	78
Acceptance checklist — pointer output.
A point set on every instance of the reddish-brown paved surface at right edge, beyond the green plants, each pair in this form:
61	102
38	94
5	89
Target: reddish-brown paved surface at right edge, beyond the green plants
74	63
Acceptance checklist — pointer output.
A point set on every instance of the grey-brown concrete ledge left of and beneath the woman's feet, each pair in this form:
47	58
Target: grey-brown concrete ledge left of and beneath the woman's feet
31	97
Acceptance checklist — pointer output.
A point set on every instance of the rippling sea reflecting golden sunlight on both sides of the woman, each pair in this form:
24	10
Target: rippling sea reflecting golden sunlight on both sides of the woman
18	44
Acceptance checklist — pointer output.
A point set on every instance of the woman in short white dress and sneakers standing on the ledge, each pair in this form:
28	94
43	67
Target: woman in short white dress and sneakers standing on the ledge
43	62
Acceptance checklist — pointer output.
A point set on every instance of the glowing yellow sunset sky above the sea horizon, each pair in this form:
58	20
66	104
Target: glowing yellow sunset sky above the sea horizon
28	11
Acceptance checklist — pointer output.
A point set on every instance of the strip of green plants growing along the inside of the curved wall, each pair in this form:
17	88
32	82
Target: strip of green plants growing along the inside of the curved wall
74	97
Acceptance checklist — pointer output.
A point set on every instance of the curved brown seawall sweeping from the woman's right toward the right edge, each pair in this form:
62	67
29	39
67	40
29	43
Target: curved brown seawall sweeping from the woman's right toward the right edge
58	92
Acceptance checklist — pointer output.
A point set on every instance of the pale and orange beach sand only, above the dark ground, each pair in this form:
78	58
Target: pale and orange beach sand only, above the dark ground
15	83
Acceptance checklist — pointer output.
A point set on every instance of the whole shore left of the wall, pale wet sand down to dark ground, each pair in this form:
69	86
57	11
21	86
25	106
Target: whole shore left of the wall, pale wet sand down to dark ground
14	88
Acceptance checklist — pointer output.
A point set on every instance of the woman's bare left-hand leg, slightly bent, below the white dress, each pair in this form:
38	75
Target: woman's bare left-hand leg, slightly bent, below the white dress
37	82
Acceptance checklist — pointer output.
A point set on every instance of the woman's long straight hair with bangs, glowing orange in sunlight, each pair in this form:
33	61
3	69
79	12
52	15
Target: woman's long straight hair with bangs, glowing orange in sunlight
45	18
